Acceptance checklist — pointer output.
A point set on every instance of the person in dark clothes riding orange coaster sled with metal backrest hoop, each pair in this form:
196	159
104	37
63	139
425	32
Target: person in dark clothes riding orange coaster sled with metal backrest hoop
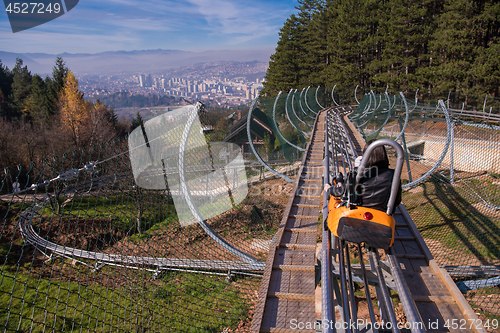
360	208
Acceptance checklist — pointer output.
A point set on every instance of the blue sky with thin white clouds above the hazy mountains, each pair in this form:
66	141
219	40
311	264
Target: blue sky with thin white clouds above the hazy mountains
192	25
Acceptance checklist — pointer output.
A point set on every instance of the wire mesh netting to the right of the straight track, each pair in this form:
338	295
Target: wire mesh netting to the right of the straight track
452	182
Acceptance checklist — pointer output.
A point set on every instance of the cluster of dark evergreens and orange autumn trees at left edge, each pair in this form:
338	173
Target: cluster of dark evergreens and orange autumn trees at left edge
46	117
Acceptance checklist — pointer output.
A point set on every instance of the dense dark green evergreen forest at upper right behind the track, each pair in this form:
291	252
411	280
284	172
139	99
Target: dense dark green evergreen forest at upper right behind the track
437	46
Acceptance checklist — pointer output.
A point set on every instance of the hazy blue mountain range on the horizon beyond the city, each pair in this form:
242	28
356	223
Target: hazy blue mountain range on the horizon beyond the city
129	61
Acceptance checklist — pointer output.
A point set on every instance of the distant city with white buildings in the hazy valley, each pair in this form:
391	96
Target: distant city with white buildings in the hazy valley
224	83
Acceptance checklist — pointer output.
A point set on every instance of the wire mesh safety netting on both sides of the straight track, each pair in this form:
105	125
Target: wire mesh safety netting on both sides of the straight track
168	230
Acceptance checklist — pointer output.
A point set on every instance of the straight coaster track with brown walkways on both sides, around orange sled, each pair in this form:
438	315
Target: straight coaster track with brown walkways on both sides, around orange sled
421	284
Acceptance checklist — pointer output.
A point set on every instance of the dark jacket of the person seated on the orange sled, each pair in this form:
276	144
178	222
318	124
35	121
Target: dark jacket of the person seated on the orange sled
374	189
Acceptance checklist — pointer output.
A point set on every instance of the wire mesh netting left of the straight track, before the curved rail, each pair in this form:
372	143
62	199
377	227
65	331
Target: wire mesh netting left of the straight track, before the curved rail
157	232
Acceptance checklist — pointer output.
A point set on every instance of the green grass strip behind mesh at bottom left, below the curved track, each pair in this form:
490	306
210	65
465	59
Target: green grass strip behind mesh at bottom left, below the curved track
177	301
